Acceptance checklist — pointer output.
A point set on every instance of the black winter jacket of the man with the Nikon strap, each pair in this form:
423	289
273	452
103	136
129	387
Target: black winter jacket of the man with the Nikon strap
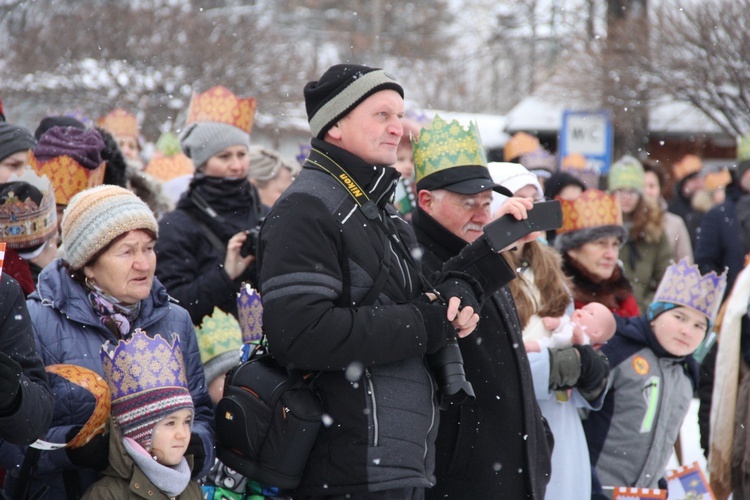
319	255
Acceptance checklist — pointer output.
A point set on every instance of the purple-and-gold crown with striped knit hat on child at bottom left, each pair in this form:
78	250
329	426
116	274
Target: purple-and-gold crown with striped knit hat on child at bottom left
147	379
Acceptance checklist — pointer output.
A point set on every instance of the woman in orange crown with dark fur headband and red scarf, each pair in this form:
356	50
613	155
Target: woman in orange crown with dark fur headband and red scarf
589	241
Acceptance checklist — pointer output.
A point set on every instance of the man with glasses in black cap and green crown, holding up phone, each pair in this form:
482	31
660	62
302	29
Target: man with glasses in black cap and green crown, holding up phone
498	445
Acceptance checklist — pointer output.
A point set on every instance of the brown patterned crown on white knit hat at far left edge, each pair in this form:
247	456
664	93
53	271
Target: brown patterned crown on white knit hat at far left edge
24	223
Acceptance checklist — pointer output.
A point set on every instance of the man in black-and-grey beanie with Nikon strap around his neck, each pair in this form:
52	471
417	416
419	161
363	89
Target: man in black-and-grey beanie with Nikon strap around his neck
343	296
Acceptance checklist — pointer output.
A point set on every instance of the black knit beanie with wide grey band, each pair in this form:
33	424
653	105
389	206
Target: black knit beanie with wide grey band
341	88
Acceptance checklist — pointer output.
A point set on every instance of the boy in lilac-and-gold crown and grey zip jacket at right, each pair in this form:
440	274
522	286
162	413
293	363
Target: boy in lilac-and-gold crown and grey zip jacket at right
652	380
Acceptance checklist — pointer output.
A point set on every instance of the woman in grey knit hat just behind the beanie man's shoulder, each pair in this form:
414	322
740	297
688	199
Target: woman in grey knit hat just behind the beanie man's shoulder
270	173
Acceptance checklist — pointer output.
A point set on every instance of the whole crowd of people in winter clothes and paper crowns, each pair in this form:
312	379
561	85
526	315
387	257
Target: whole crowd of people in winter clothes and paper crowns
119	315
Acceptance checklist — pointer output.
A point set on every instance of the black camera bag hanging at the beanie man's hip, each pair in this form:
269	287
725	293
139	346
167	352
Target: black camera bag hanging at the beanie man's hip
267	422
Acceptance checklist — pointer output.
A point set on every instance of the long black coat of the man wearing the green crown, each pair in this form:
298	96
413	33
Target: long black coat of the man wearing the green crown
495	446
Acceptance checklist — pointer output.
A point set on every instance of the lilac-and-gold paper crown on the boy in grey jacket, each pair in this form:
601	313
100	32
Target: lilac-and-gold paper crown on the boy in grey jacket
683	284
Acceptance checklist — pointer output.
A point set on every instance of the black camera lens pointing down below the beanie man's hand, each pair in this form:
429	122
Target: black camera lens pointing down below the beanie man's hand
447	364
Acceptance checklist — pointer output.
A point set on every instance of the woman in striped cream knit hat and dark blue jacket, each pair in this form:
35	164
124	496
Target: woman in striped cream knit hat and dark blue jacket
103	289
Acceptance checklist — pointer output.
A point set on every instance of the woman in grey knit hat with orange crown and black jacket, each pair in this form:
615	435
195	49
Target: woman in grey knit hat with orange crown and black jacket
206	246
